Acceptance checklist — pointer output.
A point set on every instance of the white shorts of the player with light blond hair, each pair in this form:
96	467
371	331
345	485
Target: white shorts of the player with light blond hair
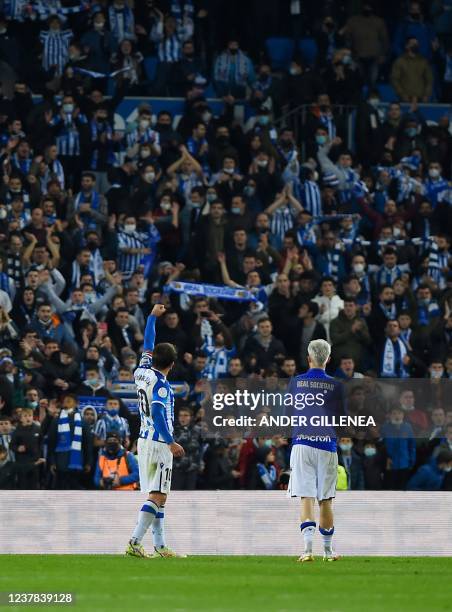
313	472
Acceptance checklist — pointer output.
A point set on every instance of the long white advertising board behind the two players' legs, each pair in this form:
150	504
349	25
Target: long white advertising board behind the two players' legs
224	522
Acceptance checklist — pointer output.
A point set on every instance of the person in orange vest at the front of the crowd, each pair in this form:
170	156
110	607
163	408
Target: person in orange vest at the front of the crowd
116	469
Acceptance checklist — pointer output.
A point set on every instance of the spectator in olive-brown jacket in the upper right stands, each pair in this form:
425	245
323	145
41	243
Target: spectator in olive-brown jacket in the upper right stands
411	74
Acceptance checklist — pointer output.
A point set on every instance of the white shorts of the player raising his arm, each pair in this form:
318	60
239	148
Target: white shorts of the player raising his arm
155	463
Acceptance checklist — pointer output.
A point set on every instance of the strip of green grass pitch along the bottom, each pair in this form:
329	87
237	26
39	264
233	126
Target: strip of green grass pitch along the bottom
107	582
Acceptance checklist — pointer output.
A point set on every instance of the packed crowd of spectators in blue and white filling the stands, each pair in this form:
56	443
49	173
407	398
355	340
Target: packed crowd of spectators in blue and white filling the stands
97	225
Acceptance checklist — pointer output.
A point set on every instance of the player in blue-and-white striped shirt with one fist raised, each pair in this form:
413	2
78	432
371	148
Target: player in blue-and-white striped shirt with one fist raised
156	445
